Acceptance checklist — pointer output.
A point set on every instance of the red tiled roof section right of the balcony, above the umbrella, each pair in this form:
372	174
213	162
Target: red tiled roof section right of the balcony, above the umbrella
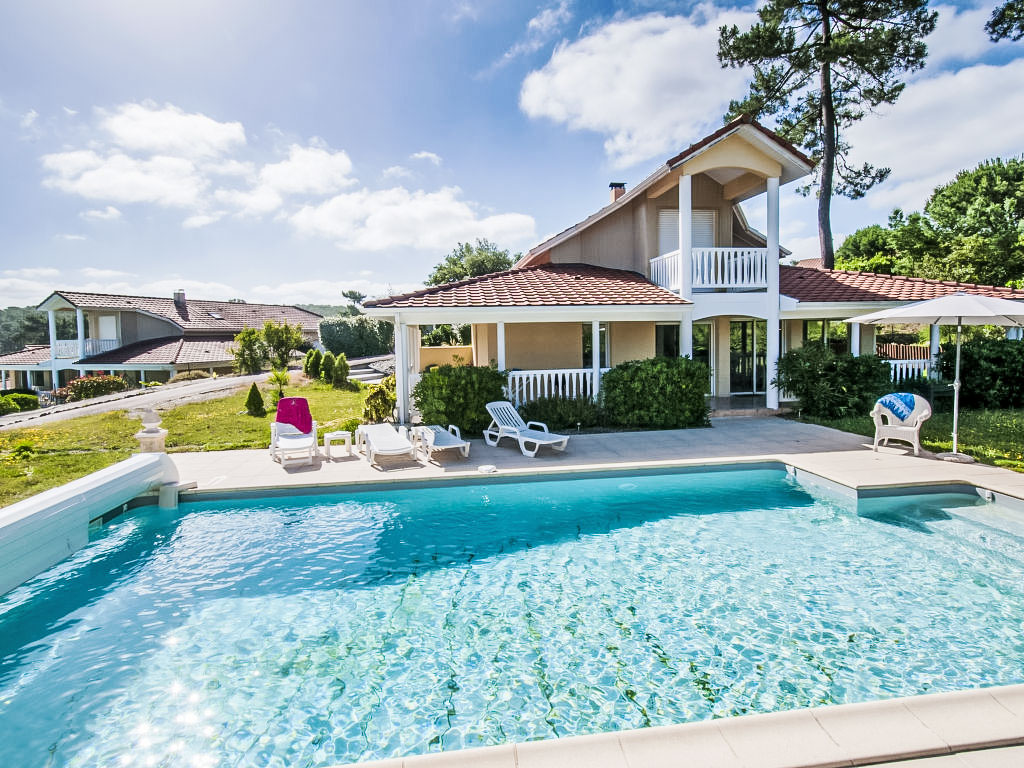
838	285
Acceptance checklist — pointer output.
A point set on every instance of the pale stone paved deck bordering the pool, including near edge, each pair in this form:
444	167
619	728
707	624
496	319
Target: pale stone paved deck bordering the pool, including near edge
982	729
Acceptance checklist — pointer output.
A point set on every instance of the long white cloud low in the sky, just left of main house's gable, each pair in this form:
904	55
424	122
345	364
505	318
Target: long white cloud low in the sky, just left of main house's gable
399	219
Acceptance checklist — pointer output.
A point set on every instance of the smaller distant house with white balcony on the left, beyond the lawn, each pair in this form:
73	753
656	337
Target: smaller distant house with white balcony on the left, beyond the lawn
143	338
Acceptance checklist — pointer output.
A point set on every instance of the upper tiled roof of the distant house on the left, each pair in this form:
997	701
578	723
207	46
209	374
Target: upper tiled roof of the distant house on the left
198	315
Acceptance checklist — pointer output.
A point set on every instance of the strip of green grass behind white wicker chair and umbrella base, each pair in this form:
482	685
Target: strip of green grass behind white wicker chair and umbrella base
991	437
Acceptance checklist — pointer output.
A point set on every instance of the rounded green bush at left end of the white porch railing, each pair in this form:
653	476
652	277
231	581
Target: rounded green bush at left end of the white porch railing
457	395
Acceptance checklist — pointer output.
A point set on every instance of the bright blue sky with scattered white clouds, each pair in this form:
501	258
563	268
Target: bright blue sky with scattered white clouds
288	152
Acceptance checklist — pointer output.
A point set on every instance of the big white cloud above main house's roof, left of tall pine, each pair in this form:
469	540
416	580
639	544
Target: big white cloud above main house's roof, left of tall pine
651	84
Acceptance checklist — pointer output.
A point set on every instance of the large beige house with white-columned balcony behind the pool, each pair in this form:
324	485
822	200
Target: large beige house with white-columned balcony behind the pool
646	282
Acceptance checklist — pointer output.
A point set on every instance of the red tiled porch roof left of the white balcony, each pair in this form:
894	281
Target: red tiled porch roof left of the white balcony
545	285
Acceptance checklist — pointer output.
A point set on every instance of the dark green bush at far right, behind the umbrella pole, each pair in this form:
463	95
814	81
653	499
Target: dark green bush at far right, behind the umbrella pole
992	372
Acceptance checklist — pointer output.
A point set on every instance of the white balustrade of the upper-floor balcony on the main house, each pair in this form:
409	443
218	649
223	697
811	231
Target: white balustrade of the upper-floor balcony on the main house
714	269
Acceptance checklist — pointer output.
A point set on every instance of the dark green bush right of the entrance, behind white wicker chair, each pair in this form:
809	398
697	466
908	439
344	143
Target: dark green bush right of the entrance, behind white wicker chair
830	386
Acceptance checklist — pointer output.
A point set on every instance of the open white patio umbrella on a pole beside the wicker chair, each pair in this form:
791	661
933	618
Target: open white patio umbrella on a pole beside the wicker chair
956	310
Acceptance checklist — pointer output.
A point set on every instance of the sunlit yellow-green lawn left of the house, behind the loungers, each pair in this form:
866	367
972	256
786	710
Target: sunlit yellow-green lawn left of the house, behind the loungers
35	459
